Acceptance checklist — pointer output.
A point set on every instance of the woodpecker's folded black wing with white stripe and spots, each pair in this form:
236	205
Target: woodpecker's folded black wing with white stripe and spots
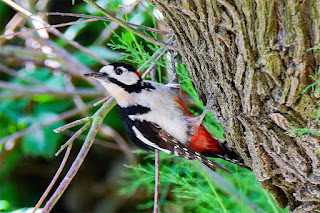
155	137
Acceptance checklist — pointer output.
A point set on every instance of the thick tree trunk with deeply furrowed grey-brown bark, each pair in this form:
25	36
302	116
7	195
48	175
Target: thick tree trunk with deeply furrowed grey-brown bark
252	55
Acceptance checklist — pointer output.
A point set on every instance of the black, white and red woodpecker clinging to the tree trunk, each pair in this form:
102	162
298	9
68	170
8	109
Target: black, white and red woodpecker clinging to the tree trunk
155	117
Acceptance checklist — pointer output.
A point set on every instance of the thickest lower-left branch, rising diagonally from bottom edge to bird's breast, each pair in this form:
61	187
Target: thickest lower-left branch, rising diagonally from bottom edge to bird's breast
96	123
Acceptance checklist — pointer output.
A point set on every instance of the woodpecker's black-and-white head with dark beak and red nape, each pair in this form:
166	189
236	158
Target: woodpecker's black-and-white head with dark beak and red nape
117	73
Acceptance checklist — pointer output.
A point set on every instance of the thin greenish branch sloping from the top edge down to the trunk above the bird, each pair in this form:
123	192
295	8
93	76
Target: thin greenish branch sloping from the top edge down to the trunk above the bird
126	26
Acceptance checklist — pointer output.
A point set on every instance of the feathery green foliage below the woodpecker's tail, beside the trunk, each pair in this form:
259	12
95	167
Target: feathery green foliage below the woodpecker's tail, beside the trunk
186	187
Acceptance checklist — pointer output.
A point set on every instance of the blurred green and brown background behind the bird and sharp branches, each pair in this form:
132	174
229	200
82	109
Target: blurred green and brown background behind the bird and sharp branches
42	88
